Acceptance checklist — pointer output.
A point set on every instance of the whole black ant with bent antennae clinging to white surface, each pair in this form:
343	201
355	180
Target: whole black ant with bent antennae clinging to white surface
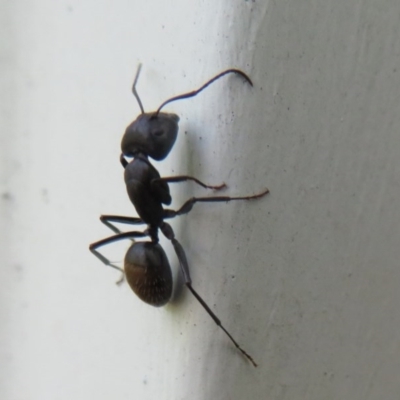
146	266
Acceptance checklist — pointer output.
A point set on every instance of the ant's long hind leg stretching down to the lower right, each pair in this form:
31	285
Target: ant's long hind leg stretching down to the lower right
180	252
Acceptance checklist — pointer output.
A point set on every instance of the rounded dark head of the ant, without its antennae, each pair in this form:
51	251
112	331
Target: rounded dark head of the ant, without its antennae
153	134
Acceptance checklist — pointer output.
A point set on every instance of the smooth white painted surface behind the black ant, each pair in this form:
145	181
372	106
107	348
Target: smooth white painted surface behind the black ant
307	280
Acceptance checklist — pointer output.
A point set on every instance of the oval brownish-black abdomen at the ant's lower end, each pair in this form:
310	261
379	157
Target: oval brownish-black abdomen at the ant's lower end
148	273
